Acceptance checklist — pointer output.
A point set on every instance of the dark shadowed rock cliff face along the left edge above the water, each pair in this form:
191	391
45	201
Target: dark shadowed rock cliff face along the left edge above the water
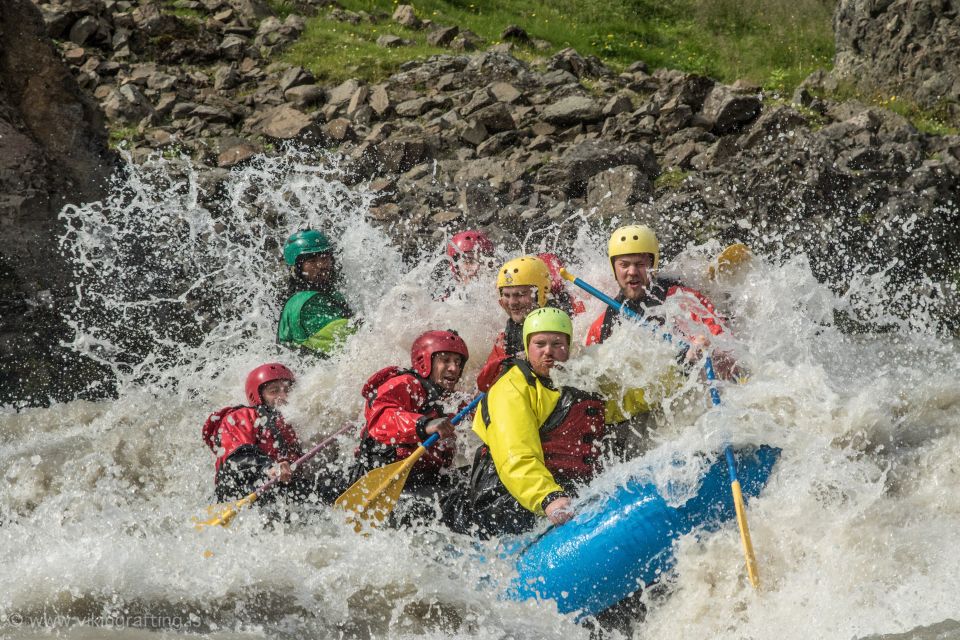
53	152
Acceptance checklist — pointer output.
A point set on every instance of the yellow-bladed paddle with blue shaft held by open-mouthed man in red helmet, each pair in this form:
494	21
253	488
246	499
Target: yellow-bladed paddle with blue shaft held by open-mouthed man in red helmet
375	495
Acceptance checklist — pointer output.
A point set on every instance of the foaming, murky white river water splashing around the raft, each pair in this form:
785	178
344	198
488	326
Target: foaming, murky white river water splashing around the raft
856	533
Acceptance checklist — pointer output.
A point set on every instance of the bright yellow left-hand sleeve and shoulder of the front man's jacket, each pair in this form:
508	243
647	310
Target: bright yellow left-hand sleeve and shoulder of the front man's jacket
516	412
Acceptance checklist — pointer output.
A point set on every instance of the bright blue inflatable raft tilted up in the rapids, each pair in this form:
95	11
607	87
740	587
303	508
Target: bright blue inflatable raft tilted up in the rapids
601	556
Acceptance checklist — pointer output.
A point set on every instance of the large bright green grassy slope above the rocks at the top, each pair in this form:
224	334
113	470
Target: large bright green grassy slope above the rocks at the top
775	43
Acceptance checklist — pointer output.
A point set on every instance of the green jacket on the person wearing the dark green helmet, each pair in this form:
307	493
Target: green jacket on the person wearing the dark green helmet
314	320
